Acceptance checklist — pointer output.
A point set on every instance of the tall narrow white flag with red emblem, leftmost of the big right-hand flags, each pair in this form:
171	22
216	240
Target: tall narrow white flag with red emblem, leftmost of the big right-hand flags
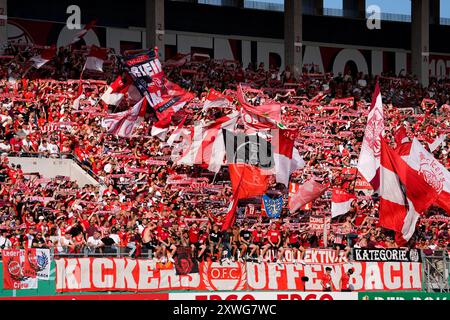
369	159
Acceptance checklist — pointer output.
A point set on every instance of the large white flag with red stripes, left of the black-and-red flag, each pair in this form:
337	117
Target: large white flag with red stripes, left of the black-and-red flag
207	143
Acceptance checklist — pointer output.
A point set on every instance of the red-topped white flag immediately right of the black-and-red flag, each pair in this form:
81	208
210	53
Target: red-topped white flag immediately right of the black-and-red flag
287	158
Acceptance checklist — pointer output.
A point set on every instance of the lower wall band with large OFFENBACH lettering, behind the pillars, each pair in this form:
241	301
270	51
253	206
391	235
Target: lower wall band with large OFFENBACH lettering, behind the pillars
325	57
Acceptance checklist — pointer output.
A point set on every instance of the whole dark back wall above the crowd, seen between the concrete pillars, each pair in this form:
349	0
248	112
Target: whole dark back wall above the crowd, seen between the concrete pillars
254	36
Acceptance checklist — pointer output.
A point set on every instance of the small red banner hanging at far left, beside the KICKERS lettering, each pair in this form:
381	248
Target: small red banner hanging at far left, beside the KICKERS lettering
18	273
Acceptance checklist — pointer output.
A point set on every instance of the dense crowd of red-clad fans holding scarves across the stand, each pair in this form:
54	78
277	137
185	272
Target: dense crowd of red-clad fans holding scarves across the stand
135	211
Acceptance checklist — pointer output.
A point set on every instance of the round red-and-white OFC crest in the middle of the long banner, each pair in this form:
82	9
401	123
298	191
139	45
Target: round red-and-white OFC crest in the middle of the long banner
216	277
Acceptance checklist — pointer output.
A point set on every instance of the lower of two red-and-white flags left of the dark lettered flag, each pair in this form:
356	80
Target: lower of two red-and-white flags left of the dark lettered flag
124	123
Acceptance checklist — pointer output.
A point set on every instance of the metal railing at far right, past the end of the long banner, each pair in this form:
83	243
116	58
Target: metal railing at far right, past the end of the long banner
436	270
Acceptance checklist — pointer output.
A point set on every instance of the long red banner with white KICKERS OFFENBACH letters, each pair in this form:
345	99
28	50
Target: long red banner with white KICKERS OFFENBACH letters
123	274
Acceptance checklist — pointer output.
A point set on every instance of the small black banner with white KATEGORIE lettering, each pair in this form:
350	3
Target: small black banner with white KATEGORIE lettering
387	255
